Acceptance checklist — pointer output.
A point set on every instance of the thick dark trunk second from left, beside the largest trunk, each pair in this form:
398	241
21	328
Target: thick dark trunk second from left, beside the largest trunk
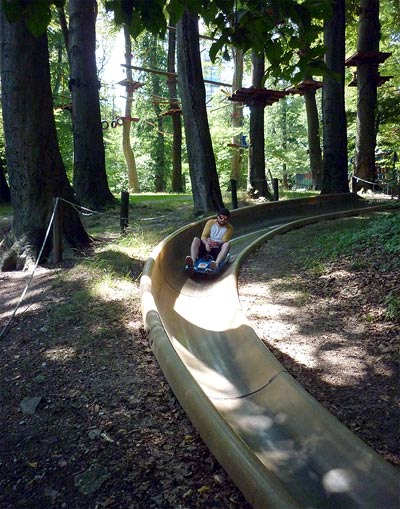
90	179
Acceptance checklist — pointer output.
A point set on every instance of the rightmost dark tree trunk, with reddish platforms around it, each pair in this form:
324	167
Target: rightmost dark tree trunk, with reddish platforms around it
367	72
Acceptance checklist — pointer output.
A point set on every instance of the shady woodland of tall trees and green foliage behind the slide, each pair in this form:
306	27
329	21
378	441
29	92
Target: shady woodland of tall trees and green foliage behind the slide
38	165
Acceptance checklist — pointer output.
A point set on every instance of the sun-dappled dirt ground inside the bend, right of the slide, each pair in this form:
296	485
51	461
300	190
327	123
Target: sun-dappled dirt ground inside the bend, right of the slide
328	328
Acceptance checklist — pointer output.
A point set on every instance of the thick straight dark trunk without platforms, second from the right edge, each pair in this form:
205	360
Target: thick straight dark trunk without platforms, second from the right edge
335	178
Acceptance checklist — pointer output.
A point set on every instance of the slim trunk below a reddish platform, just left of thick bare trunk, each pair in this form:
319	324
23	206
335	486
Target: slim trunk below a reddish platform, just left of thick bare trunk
314	142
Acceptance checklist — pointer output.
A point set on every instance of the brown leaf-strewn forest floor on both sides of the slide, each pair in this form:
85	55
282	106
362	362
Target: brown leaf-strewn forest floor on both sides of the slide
89	421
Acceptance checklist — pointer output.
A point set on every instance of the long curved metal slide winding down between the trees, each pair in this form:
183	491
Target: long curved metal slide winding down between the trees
280	446
